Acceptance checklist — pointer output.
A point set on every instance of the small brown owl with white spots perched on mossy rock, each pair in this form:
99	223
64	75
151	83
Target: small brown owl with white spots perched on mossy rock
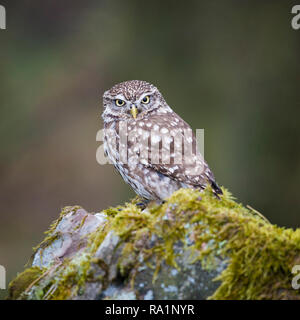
152	147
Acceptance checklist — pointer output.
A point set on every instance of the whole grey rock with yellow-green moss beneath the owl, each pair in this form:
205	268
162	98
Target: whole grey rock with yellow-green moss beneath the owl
193	246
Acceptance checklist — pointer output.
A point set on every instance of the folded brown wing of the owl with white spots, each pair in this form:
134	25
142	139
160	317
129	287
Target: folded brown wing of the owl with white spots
179	158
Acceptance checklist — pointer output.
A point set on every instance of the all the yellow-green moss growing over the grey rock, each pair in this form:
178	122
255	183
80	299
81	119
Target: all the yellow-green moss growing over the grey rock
259	256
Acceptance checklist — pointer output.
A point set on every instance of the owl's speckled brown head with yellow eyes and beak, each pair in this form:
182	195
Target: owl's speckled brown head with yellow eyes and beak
130	100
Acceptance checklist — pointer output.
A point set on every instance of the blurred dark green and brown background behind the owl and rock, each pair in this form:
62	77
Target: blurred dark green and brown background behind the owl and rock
231	67
